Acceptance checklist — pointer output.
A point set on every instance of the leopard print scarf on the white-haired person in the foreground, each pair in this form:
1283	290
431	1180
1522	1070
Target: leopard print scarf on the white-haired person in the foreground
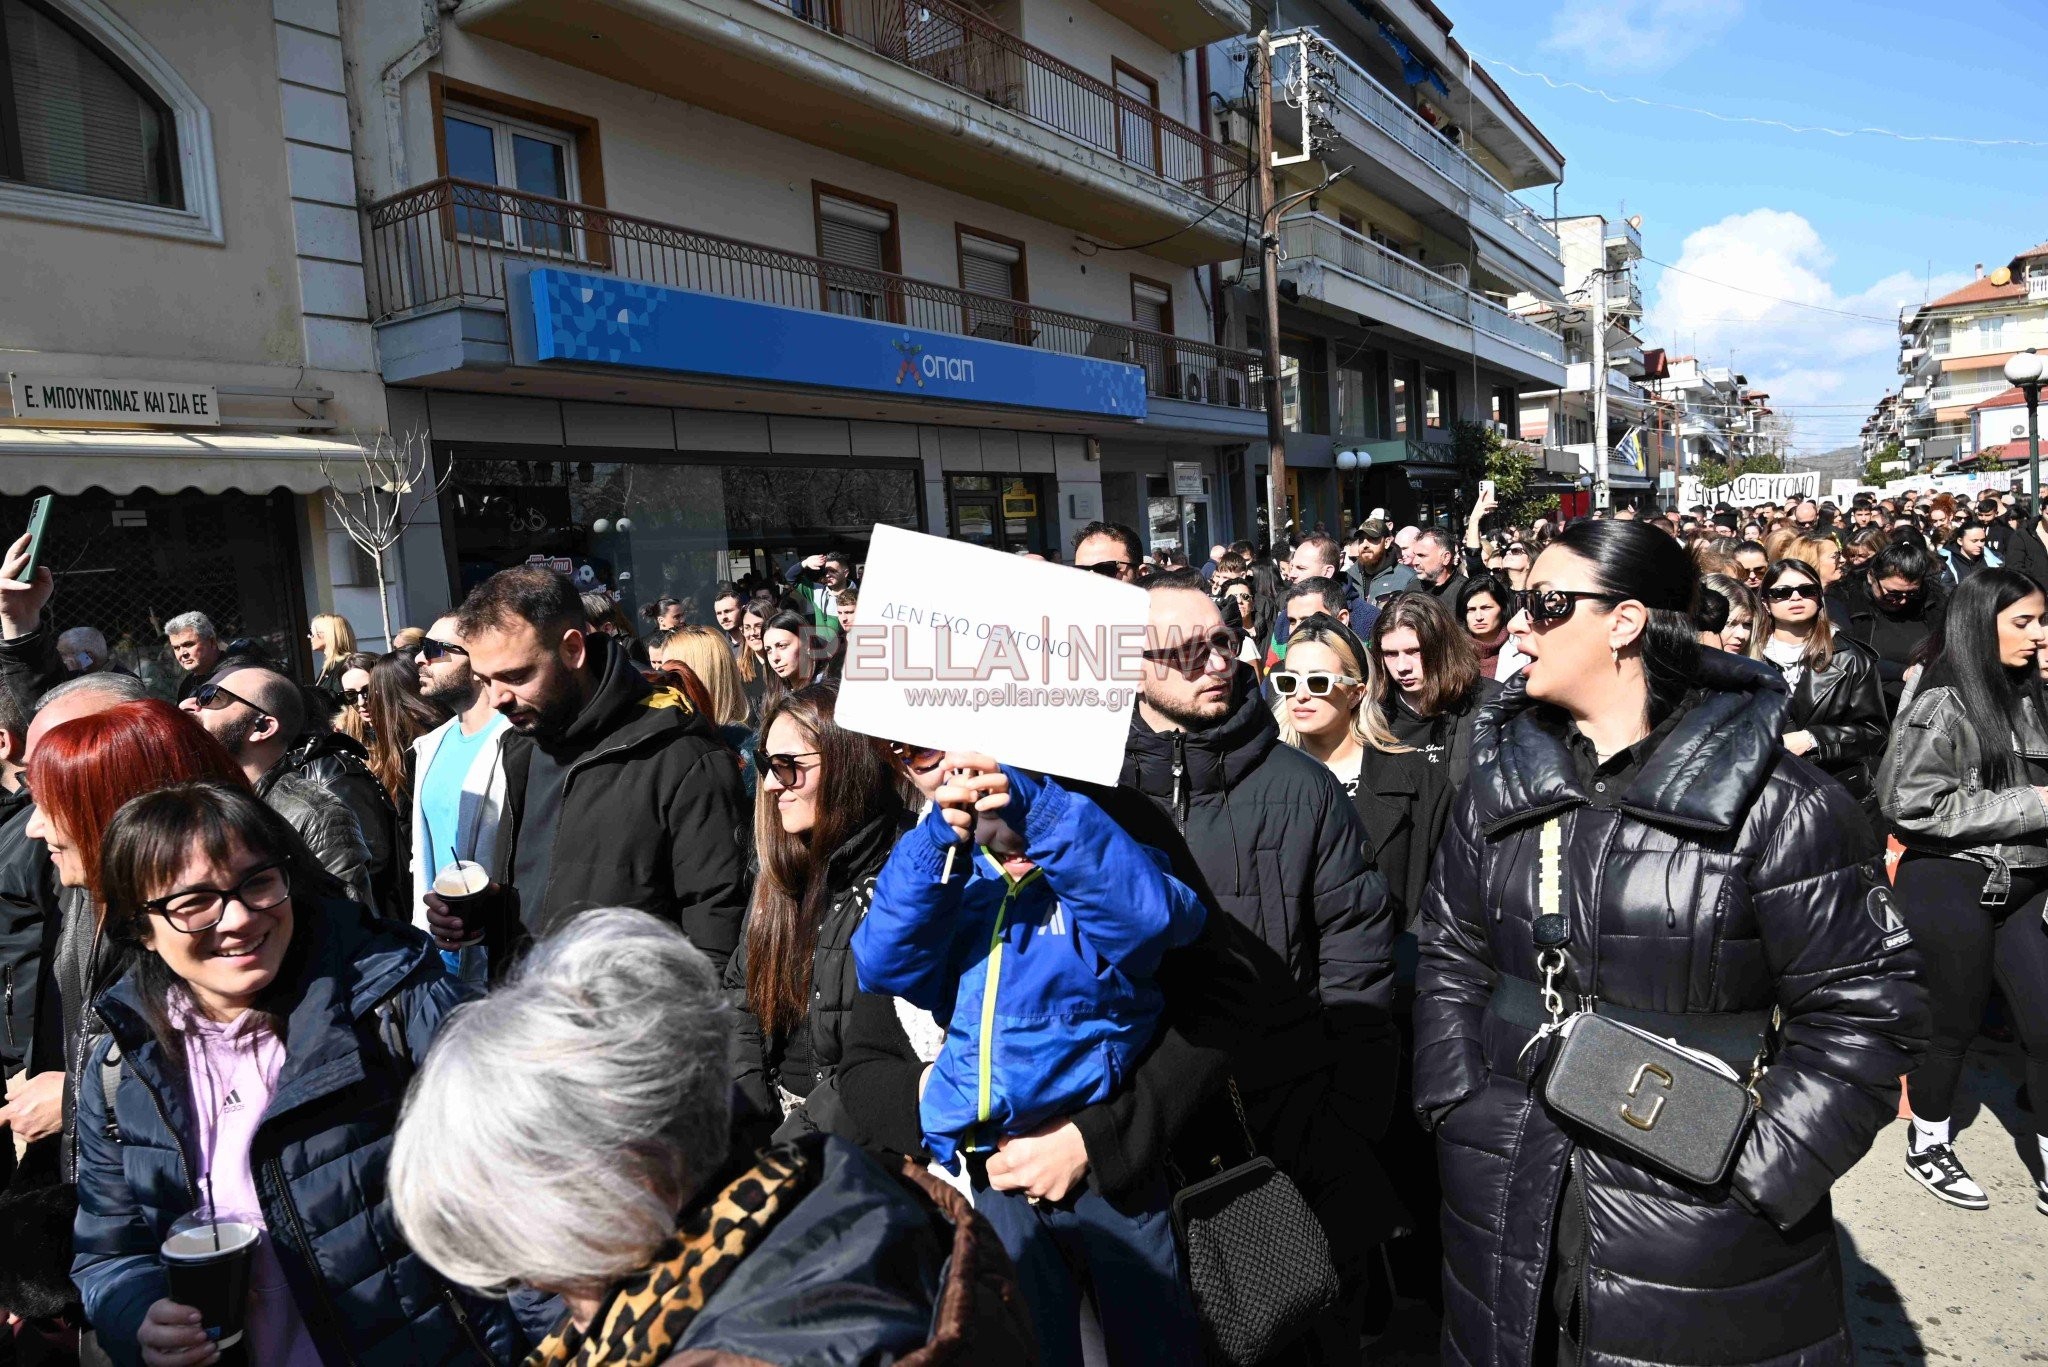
650	1311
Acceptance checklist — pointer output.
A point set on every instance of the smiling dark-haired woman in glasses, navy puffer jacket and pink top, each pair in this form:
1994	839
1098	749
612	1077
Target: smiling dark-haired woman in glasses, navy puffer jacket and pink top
257	1057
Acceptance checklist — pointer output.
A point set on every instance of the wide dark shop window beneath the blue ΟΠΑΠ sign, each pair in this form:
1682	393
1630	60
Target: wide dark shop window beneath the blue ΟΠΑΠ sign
665	528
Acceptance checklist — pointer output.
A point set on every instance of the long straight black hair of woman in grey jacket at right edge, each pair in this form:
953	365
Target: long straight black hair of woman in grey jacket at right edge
1963	655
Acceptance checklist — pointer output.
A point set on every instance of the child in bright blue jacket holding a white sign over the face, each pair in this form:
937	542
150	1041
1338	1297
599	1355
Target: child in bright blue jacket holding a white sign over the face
1039	958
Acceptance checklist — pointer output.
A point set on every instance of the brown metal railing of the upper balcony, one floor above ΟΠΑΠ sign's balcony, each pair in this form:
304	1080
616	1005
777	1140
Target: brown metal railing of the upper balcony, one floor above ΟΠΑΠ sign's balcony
974	54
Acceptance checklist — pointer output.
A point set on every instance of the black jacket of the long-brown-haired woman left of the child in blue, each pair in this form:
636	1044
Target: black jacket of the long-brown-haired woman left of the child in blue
808	1059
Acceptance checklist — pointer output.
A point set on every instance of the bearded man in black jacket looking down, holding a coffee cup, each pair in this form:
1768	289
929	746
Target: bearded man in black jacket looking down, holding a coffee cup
617	794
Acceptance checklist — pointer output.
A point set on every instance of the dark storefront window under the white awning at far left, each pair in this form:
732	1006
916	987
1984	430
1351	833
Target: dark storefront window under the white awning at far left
130	563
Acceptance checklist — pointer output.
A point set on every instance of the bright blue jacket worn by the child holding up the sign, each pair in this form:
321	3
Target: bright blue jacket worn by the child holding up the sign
1046	983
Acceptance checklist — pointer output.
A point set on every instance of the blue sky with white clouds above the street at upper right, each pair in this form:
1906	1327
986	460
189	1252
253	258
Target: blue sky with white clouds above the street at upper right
1852	224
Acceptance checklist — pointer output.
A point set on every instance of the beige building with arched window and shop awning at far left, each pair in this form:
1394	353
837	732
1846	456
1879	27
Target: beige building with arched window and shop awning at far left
183	315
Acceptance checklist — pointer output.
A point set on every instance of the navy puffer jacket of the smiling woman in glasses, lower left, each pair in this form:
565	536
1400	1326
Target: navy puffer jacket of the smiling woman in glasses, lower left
318	1161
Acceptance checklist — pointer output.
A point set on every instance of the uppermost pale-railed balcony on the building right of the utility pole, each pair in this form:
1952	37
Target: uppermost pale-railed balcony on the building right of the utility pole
1416	167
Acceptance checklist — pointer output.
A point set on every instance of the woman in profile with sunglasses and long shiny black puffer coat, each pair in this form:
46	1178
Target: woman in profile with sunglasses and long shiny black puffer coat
1701	880
